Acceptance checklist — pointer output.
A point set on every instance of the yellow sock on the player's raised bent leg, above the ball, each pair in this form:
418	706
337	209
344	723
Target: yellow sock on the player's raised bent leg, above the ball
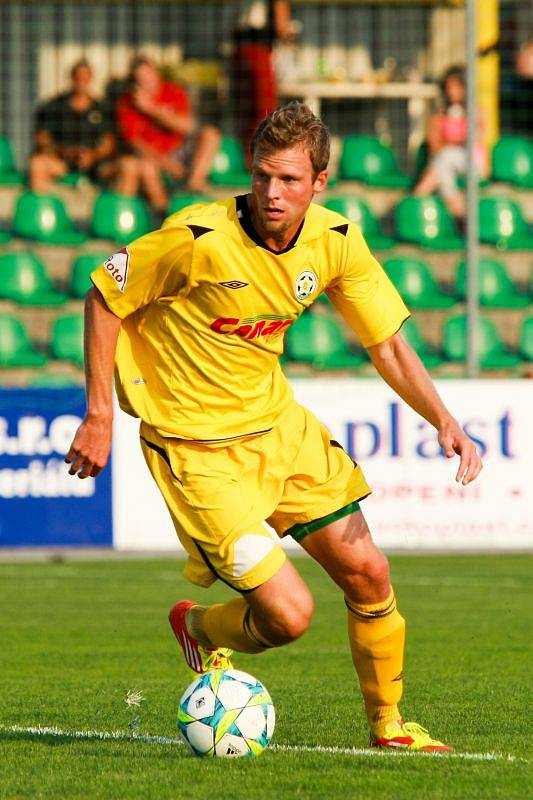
227	625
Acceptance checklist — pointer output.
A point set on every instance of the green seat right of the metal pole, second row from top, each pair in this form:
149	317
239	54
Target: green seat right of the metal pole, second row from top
501	223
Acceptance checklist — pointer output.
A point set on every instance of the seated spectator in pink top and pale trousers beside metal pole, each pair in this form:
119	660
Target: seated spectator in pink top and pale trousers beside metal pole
447	145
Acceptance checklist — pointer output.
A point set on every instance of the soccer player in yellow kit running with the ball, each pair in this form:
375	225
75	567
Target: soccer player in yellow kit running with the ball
193	316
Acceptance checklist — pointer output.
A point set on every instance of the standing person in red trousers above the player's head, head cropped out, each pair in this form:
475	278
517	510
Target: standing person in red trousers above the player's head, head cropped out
261	23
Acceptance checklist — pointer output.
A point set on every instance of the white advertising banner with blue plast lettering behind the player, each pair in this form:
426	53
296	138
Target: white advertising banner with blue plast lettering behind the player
416	503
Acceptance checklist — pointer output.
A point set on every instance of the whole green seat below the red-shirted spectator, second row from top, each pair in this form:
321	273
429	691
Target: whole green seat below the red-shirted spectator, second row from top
120	218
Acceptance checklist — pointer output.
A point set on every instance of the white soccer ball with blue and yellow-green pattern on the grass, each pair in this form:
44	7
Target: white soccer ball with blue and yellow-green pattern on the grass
226	712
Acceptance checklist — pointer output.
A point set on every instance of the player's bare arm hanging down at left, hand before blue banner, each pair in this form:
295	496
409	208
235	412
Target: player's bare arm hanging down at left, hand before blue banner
91	445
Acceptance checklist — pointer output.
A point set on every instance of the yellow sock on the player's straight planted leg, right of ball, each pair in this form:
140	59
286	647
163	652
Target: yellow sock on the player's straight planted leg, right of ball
377	635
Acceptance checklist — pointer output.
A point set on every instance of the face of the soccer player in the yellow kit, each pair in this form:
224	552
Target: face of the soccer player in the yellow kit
283	185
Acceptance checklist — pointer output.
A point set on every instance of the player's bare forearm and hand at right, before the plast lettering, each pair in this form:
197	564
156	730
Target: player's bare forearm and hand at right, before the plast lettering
400	367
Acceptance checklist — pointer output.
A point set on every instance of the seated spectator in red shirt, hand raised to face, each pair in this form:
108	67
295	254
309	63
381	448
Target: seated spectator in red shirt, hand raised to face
160	137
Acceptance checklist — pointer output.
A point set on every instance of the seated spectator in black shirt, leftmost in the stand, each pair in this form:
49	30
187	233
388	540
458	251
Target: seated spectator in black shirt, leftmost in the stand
73	134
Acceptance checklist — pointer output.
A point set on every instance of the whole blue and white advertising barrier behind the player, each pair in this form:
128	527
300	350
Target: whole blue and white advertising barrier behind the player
416	503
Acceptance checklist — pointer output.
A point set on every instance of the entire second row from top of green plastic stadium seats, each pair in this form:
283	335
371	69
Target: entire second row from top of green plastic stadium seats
424	221
